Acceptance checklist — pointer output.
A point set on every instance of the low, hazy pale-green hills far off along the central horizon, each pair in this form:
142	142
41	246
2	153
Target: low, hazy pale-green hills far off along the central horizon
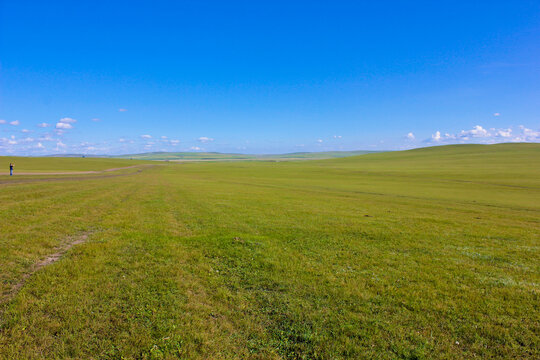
214	156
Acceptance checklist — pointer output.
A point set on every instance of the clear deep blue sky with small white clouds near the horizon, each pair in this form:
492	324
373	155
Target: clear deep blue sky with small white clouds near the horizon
111	77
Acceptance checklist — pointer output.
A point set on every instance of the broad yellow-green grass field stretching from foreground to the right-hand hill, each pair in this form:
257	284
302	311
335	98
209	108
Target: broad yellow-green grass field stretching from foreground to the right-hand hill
431	253
